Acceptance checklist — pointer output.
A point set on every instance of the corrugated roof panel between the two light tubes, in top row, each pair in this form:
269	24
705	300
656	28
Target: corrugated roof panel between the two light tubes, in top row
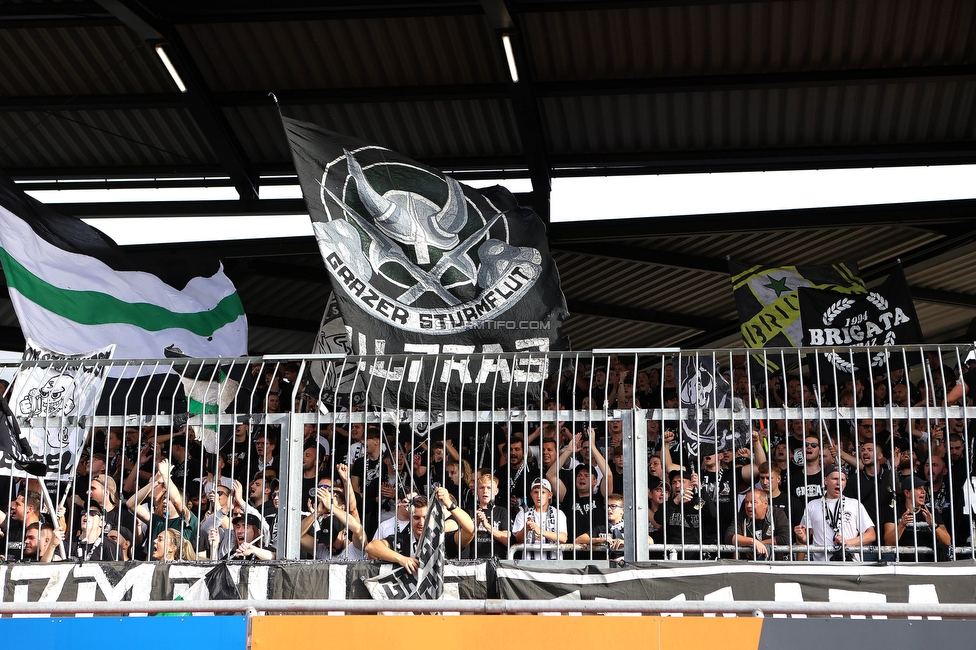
373	52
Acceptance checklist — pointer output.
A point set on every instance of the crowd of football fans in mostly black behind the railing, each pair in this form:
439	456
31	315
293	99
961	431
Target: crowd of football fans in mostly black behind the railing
812	487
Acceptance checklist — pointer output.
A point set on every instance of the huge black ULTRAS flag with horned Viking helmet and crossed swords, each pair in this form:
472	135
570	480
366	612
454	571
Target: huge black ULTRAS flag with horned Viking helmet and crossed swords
422	264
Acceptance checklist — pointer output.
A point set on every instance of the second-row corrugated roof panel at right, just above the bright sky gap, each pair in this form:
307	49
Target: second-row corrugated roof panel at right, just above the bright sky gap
933	111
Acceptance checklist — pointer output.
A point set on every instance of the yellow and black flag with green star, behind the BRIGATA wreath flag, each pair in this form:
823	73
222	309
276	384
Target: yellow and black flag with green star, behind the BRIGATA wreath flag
768	303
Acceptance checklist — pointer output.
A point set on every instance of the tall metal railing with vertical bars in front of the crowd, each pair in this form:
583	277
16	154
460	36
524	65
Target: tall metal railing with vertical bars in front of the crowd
601	428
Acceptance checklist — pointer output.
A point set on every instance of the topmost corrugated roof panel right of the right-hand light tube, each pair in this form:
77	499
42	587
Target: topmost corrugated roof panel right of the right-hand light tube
723	38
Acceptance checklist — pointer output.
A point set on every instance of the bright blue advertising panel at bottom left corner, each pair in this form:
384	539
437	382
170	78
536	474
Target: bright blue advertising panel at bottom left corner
147	632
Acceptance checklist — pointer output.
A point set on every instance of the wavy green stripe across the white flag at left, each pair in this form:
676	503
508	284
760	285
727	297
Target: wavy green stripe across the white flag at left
95	308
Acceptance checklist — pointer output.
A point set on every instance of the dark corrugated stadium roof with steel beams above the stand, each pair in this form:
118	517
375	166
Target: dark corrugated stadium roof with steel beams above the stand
605	87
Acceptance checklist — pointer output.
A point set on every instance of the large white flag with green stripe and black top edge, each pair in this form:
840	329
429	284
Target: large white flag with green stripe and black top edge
75	290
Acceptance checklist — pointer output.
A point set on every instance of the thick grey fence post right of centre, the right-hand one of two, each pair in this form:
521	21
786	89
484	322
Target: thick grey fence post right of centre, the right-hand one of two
635	484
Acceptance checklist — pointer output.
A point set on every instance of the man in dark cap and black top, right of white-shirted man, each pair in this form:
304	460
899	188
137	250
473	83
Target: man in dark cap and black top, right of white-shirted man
913	524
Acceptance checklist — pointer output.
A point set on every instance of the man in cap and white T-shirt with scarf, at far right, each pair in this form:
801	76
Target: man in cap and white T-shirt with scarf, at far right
835	520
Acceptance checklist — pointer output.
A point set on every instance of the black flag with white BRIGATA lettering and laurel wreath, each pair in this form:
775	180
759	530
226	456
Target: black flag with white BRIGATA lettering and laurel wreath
884	316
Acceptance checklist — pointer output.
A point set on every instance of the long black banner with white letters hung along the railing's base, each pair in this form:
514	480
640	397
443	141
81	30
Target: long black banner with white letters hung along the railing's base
950	582
